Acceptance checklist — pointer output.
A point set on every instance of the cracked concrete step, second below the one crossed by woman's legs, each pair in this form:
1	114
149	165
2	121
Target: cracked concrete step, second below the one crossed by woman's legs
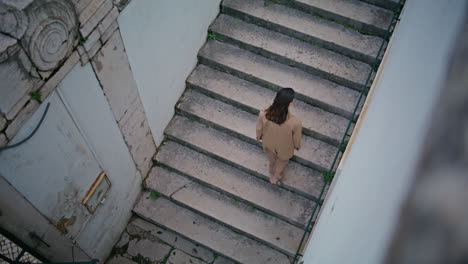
241	217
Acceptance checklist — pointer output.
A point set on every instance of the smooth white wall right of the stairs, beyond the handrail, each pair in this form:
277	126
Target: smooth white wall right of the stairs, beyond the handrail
360	213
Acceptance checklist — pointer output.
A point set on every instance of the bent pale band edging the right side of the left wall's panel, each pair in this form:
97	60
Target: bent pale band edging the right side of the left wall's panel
86	101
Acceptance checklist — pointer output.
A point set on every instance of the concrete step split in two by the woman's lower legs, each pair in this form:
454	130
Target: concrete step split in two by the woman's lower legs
247	157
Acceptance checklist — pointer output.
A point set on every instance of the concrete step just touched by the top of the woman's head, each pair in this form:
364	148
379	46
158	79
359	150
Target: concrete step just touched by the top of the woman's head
268	73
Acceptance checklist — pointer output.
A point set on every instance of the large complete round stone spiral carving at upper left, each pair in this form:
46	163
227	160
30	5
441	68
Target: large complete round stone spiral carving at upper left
51	32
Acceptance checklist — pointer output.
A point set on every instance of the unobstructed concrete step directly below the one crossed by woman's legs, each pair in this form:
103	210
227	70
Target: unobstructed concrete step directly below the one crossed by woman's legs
284	204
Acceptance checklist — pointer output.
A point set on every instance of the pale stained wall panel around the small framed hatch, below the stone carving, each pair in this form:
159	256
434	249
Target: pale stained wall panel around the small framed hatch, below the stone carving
55	168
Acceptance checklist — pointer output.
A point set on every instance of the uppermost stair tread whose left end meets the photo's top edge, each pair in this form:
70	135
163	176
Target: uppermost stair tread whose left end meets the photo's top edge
306	24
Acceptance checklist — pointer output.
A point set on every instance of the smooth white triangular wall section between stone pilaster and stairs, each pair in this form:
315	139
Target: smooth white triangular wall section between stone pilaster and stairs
162	39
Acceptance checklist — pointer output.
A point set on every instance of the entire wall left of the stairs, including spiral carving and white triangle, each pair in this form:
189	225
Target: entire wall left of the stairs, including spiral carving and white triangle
112	85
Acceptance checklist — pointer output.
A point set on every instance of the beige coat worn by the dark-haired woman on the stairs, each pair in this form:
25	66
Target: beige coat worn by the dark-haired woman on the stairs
281	139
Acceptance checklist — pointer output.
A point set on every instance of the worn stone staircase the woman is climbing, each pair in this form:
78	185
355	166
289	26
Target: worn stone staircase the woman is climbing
210	182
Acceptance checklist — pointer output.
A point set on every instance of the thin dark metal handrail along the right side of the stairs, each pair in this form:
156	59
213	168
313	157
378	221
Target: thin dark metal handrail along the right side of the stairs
329	176
